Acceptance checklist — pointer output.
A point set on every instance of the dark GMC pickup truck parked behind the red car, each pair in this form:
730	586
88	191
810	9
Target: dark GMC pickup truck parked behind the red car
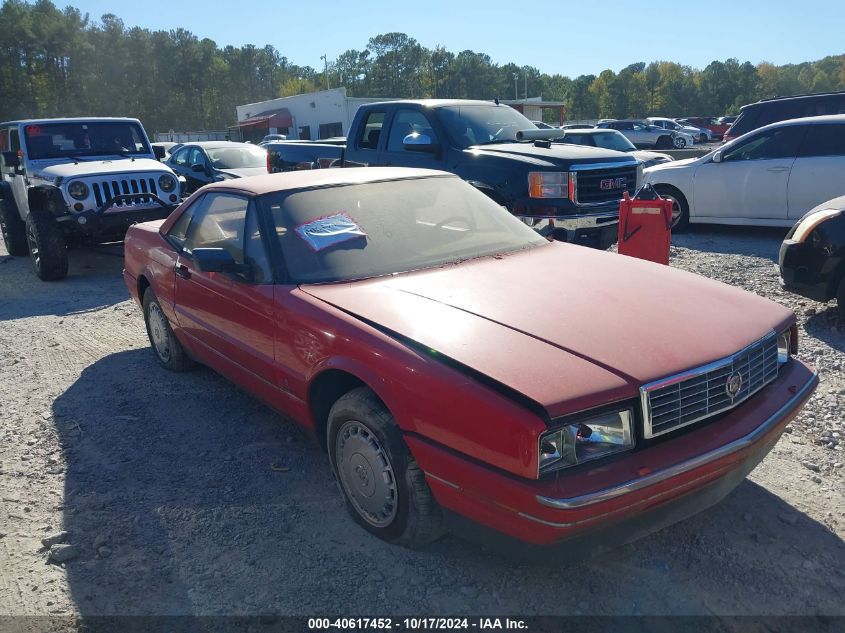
568	192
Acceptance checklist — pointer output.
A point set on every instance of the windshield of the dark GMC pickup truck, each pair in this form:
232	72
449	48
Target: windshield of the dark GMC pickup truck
483	124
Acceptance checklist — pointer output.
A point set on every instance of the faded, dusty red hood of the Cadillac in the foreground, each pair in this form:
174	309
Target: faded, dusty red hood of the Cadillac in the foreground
562	322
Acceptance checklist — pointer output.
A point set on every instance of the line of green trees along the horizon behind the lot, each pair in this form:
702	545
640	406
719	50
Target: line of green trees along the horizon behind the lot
62	63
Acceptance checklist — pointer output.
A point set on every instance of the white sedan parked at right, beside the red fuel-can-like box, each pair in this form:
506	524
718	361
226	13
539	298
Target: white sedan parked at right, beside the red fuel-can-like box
769	177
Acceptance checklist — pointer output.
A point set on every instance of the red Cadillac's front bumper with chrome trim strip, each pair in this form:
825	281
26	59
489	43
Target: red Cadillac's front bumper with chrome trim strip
628	497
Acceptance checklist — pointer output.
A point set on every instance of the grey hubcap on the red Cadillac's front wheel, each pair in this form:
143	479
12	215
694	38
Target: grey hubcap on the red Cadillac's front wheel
366	474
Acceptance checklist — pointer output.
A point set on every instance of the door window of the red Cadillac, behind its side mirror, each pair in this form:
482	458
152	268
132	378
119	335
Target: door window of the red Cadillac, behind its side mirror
219	223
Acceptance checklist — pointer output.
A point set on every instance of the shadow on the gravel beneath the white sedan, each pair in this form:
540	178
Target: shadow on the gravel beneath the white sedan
755	241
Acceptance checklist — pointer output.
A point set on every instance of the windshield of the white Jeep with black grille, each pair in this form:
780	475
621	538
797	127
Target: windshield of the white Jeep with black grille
84	138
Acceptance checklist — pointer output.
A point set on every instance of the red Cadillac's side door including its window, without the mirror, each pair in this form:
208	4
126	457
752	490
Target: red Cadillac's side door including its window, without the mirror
229	317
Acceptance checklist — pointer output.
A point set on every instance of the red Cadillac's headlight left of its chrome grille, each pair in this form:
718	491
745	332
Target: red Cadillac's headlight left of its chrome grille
580	441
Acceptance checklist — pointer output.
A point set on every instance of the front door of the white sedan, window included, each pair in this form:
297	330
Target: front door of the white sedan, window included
750	181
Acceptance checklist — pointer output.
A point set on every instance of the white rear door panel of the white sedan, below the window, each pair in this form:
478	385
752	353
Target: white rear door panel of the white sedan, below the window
813	180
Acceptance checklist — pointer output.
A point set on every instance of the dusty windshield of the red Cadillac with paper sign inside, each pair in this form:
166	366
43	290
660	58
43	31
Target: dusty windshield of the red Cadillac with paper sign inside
357	231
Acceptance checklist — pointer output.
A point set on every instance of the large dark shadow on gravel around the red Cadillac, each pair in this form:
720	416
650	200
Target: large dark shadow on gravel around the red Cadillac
184	495
